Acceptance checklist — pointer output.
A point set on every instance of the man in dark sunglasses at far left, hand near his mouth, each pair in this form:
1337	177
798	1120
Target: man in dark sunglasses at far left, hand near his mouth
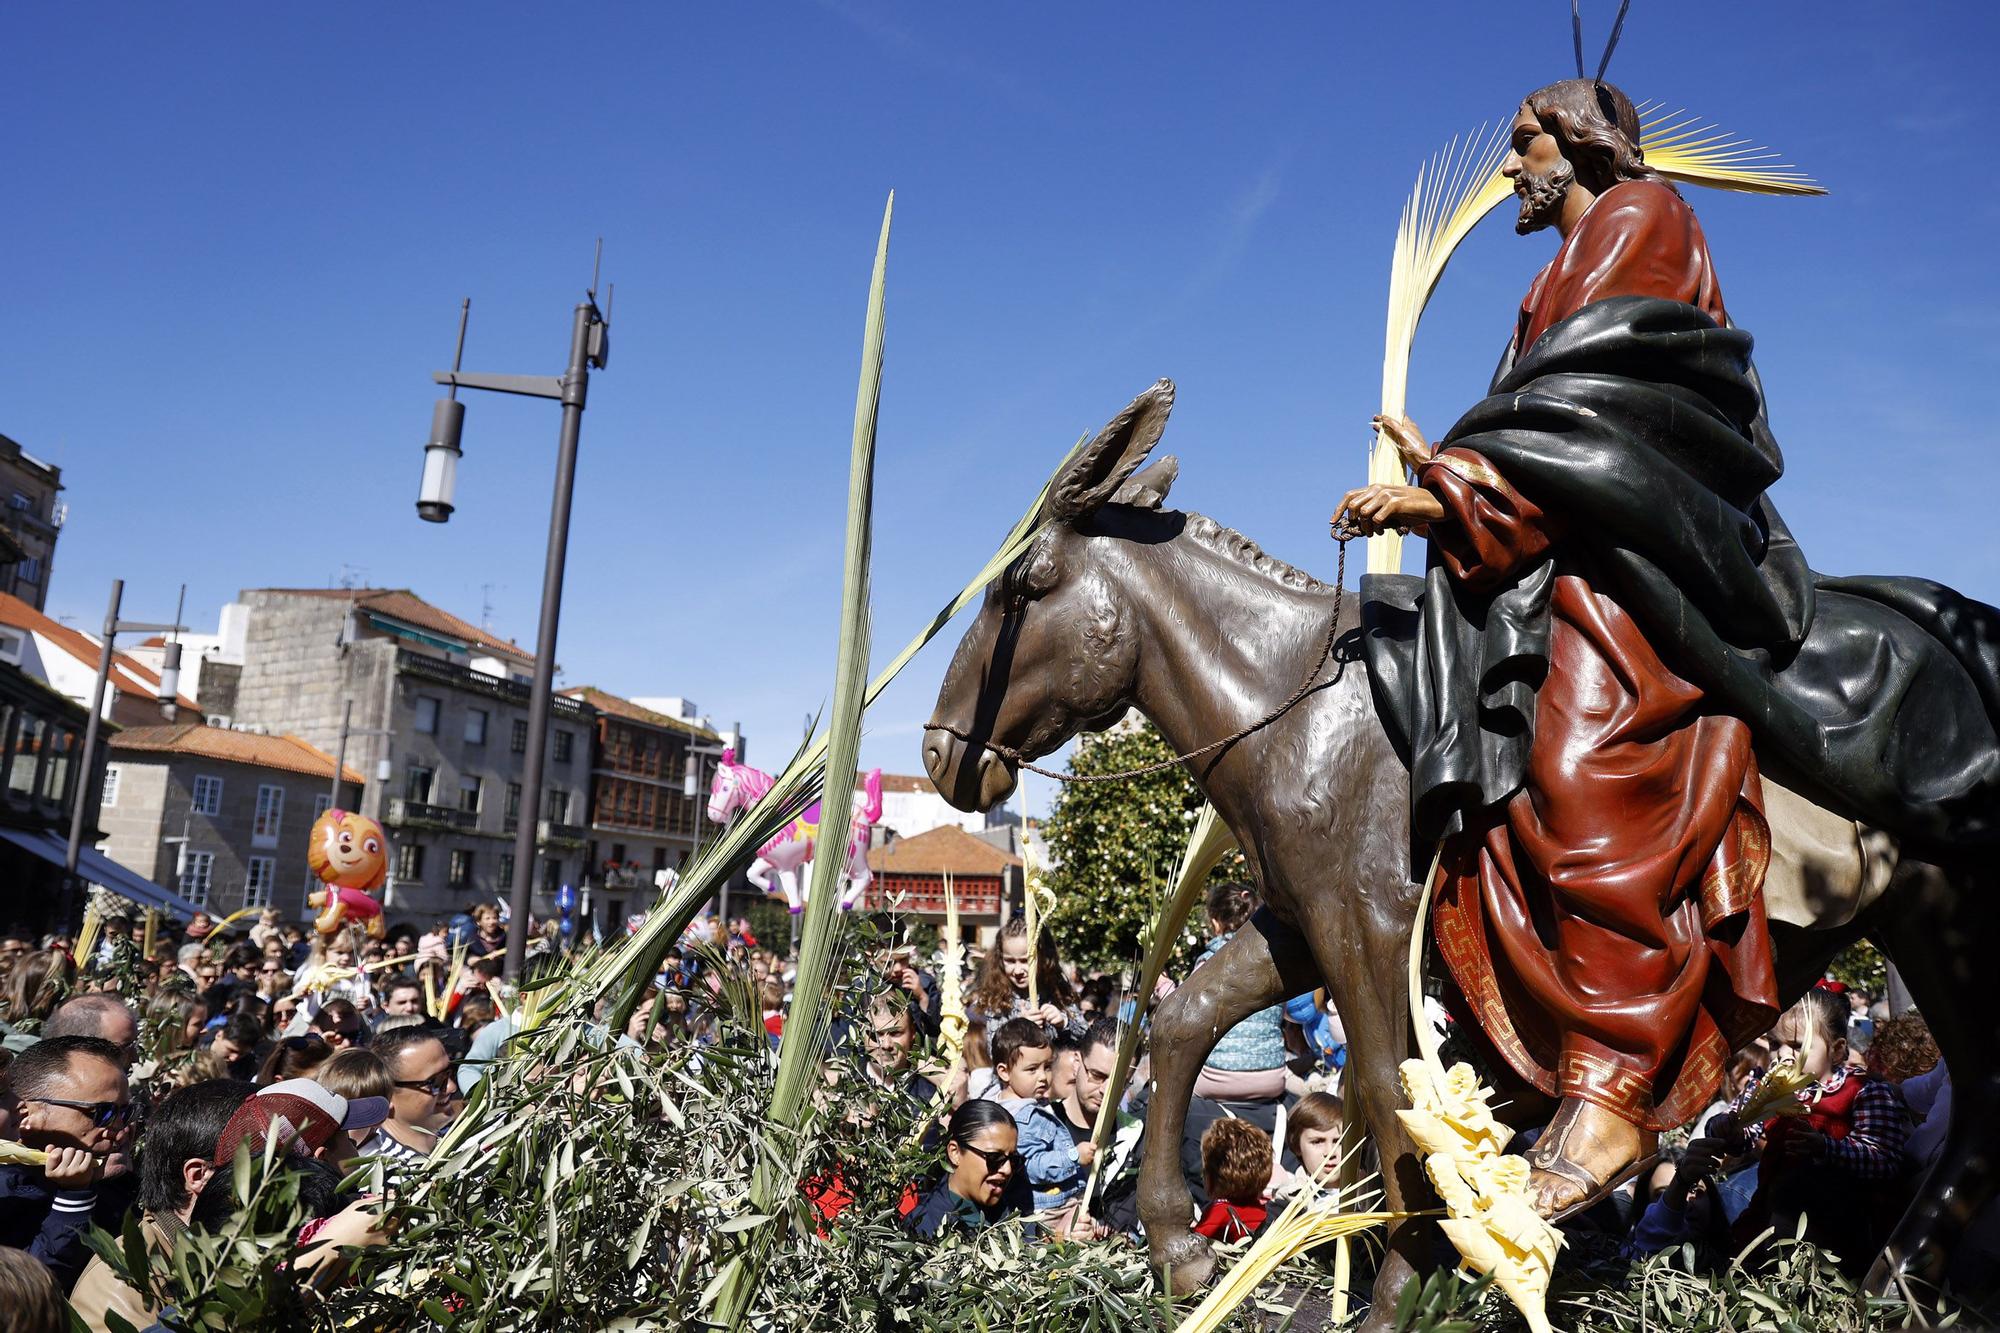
77	1108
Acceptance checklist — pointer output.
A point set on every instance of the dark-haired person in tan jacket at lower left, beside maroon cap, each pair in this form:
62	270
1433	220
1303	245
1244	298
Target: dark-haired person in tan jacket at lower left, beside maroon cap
175	1164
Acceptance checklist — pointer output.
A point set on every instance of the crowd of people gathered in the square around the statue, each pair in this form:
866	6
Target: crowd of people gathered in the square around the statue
143	1074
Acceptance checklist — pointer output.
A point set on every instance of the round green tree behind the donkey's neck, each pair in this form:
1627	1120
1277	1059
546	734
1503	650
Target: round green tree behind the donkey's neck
1115	846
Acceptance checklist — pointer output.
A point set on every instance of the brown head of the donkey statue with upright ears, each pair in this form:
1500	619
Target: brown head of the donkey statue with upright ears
1055	647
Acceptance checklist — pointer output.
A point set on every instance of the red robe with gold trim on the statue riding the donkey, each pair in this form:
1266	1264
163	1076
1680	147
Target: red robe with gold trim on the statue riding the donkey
1607	924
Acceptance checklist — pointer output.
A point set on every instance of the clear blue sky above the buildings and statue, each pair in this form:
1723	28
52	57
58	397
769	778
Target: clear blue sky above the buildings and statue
237	241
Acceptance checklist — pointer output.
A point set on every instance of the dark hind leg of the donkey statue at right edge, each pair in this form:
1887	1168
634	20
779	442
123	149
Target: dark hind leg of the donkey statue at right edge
1943	932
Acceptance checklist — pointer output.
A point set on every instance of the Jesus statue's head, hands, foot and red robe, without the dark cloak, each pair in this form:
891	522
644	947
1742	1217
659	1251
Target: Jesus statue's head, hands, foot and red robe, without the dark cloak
1603	916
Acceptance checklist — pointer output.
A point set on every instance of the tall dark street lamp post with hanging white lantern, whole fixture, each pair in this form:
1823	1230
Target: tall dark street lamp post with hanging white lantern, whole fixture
589	347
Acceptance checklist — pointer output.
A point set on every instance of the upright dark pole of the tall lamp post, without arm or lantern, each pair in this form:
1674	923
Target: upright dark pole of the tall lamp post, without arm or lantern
575	389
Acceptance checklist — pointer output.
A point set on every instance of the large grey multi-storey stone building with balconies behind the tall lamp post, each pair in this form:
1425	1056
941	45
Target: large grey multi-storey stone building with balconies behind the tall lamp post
455	706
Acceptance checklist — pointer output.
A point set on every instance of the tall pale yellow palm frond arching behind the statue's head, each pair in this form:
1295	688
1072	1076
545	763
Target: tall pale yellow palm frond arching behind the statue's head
1463	185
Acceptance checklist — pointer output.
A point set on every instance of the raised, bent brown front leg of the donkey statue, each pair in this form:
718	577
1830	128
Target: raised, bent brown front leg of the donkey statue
1263	966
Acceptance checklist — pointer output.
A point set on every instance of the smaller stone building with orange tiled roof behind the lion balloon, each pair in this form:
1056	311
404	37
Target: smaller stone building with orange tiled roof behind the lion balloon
219	816
